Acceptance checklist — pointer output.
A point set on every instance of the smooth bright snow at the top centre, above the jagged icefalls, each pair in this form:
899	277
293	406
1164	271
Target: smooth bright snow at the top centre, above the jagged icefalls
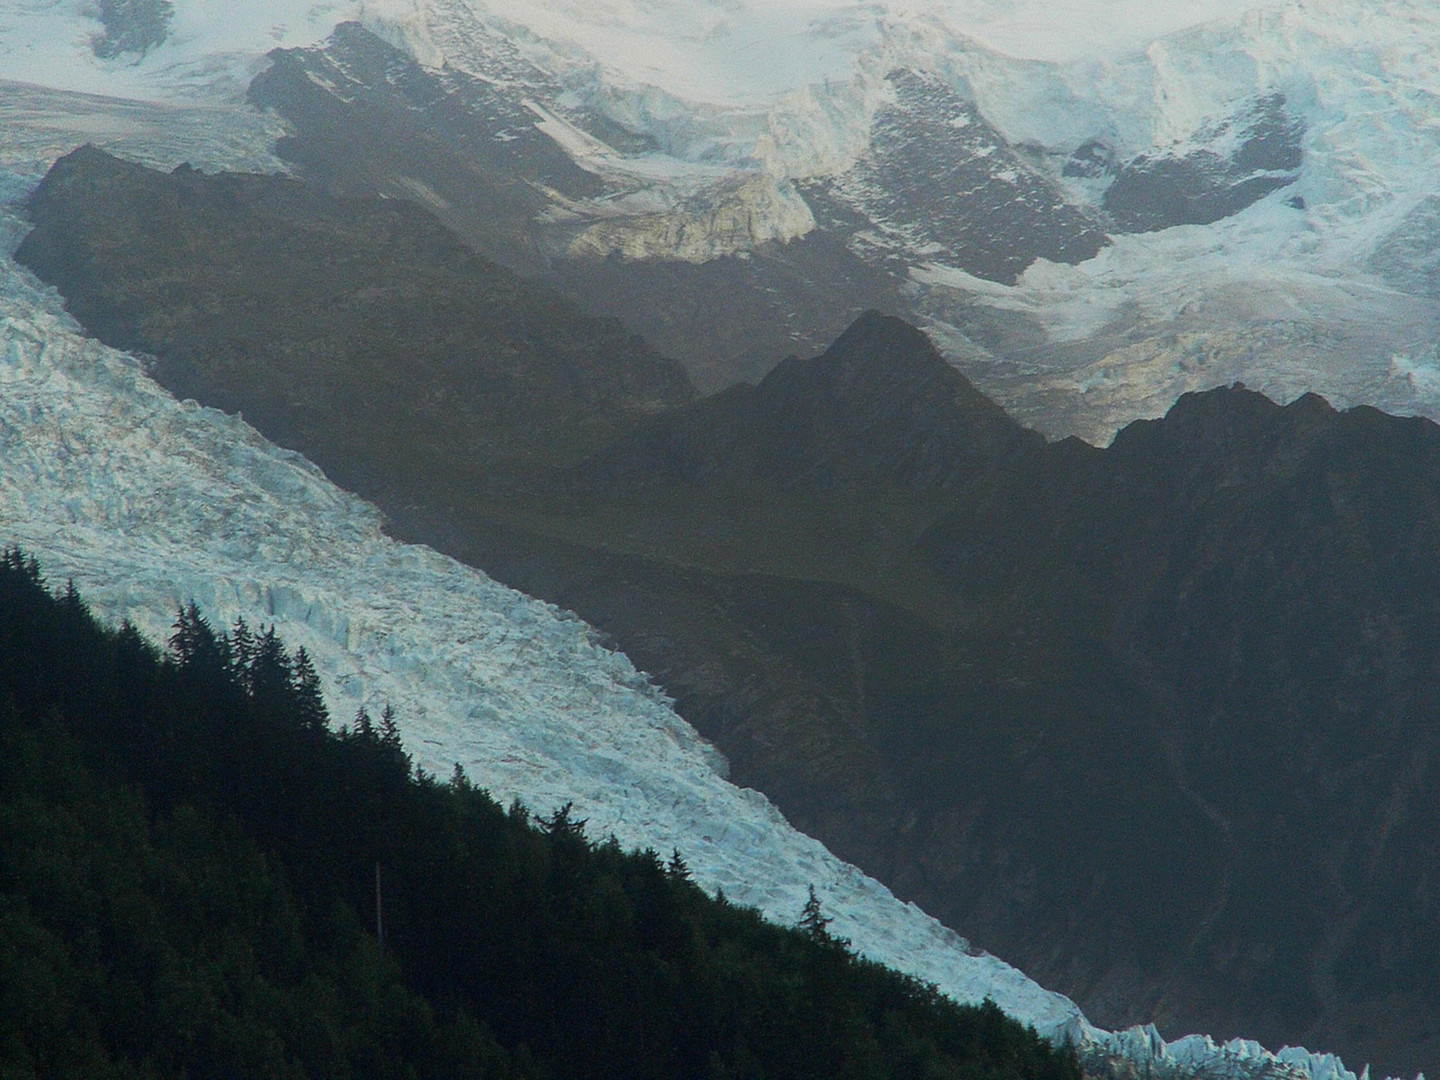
741	53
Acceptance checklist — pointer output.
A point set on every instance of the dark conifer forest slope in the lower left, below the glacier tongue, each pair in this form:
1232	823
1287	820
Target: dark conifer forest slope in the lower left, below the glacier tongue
189	868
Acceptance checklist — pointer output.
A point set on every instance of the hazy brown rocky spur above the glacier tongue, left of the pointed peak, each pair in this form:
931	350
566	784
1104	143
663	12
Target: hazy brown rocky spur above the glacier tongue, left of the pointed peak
312	302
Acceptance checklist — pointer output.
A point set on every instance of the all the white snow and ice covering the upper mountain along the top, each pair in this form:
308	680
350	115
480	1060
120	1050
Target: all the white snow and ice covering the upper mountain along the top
1334	273
